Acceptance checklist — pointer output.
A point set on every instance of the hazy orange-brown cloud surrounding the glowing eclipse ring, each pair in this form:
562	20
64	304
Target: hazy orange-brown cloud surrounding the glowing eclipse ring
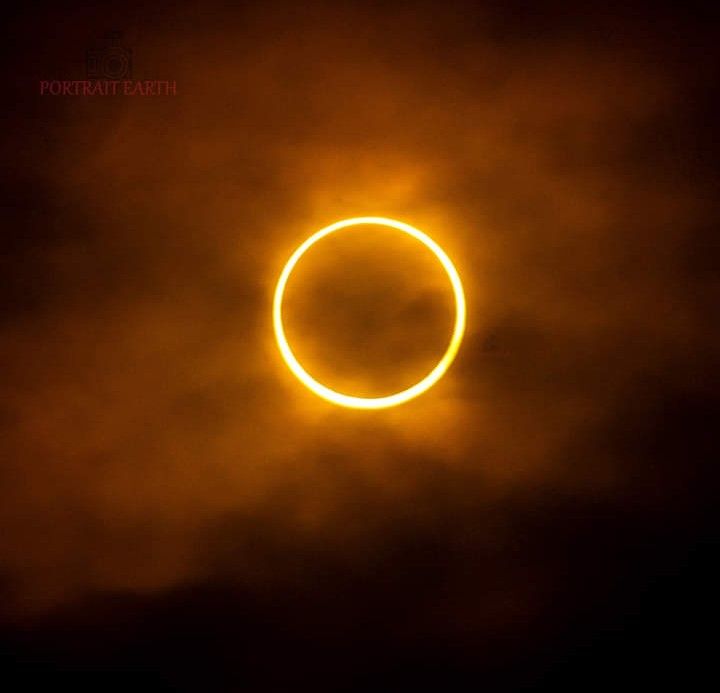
153	438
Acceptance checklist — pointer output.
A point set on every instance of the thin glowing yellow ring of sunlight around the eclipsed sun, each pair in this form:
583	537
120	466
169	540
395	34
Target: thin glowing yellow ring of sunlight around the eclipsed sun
371	402
